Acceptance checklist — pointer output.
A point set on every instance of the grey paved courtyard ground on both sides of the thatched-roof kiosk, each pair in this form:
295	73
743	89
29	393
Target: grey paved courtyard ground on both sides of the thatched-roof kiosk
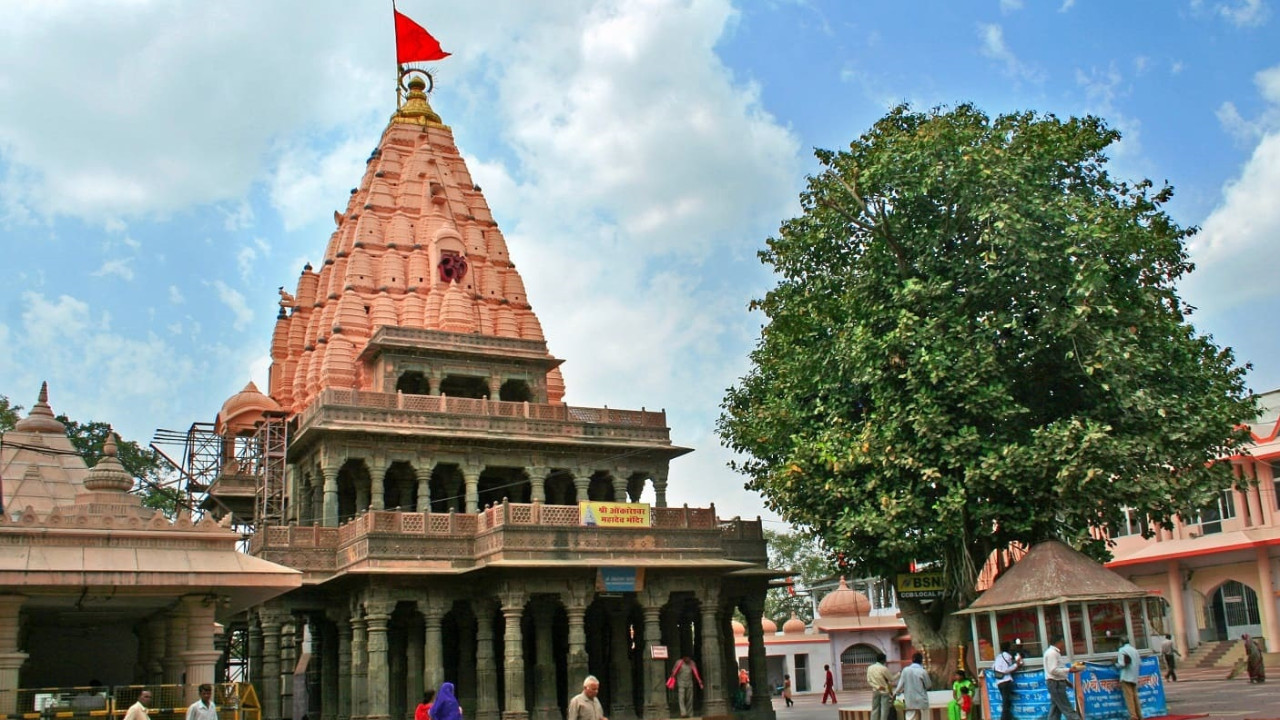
1200	692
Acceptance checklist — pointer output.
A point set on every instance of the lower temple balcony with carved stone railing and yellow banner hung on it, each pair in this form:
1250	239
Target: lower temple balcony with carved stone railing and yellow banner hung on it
510	536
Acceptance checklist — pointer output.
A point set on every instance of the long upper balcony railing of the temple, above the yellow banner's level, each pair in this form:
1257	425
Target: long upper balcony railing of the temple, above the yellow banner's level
463	417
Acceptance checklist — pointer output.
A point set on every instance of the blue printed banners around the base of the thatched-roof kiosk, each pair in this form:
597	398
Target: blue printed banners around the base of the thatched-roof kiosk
1100	685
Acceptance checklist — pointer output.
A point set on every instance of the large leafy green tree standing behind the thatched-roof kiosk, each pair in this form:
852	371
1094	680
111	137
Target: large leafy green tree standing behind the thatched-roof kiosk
976	340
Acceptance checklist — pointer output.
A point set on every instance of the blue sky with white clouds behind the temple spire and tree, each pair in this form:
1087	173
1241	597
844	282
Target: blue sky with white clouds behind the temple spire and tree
166	166
